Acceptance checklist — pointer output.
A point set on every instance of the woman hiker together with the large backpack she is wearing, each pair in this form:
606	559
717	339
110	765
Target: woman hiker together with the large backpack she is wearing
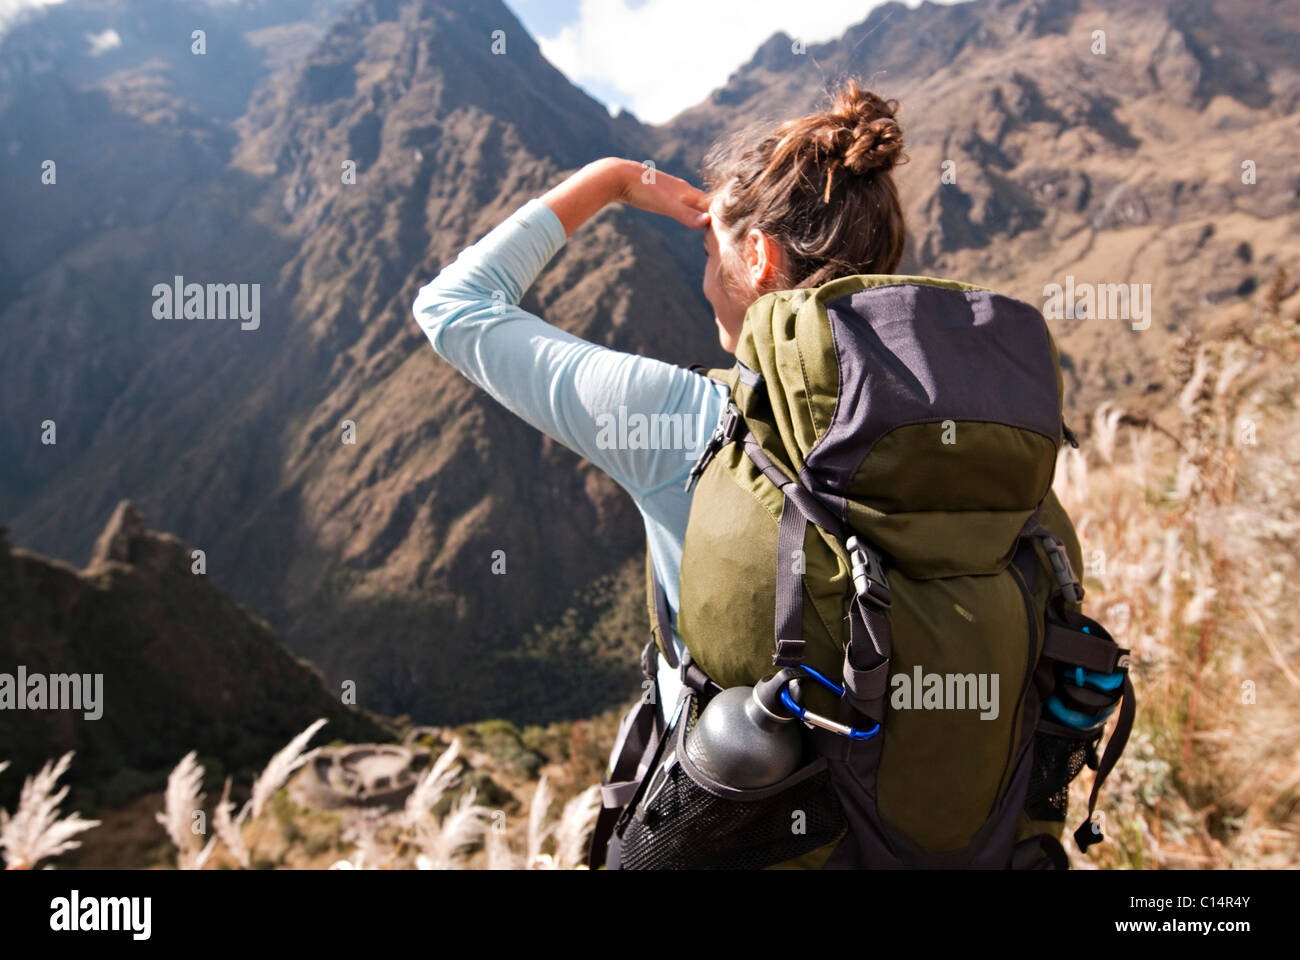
864	576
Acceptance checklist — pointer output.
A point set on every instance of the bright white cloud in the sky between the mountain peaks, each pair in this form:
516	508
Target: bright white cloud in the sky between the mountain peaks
661	57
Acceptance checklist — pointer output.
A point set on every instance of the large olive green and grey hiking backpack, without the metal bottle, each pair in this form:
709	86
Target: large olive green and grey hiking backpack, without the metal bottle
874	517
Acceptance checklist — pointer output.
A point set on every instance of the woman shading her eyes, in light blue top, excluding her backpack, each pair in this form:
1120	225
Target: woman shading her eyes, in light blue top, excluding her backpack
792	207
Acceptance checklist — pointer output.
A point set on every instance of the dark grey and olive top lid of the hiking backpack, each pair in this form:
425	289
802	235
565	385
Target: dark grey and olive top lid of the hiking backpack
928	410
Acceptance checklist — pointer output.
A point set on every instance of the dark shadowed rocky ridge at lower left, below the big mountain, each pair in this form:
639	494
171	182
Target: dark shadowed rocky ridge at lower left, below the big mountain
163	663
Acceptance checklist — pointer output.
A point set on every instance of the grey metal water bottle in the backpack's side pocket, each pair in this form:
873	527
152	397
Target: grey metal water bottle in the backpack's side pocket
746	738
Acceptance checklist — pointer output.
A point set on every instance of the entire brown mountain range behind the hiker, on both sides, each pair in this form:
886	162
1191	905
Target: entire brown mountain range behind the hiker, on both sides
372	560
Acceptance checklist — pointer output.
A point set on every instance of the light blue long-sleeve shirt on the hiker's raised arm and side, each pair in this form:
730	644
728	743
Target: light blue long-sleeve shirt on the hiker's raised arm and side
639	420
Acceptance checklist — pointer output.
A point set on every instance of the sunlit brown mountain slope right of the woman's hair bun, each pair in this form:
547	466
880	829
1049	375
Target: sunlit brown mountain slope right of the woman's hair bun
1099	141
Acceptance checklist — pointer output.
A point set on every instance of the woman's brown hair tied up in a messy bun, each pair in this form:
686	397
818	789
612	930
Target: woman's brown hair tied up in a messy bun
820	187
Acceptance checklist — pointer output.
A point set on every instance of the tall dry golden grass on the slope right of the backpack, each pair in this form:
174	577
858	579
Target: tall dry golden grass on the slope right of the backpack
1191	538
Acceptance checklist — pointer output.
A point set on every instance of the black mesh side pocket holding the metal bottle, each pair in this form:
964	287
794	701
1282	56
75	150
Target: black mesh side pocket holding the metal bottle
682	825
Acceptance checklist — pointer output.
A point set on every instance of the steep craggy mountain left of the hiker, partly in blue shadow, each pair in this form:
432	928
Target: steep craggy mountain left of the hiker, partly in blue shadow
374	560
